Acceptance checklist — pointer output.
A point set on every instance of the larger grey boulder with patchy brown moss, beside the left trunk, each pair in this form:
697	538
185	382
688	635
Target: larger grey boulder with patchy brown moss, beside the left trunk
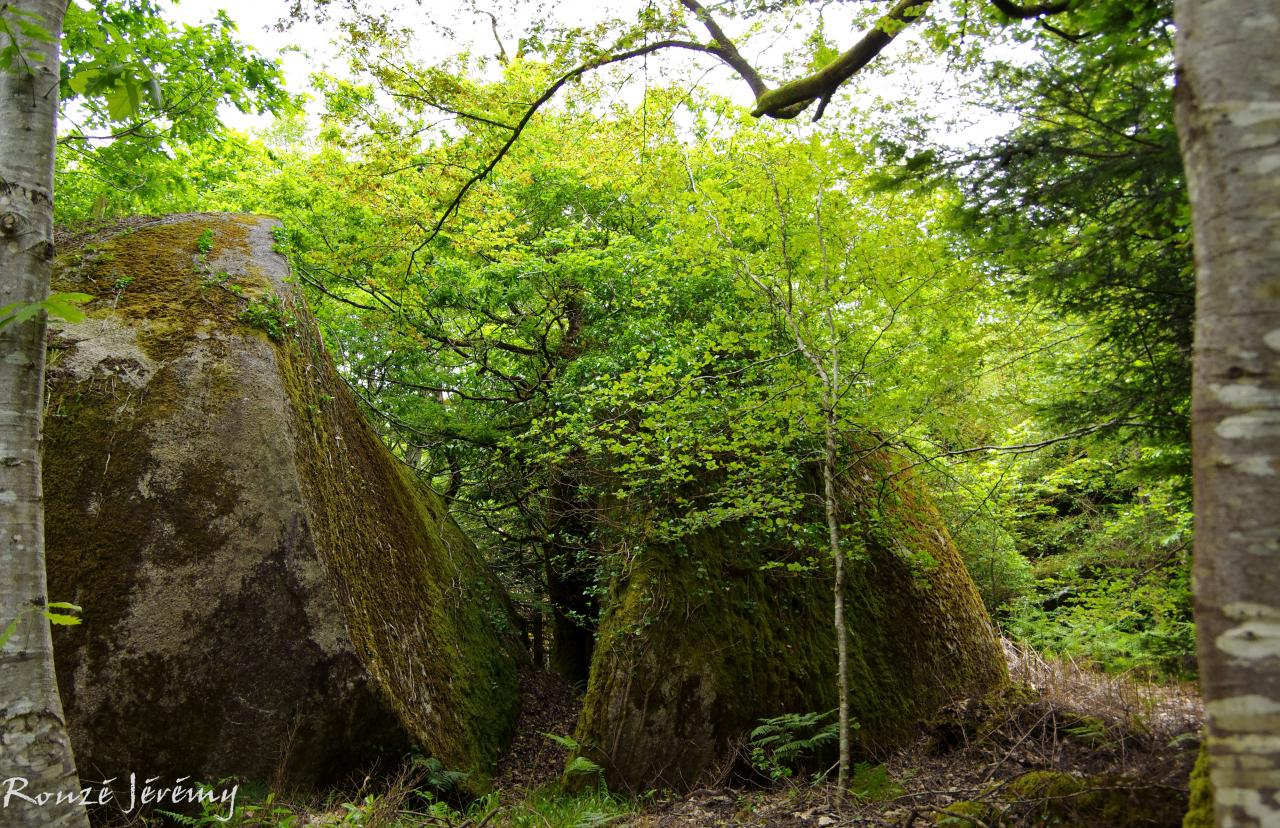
268	594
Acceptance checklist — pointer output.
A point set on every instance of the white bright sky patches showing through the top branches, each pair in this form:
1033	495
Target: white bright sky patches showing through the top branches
258	19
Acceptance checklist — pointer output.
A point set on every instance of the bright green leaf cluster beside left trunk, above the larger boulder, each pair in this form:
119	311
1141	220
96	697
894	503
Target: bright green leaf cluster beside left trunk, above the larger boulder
140	94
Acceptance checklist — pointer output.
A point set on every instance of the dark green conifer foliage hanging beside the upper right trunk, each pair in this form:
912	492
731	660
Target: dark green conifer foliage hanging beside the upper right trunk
1084	207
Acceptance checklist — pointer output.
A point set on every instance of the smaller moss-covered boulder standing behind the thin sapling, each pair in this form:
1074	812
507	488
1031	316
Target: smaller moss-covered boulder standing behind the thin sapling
700	642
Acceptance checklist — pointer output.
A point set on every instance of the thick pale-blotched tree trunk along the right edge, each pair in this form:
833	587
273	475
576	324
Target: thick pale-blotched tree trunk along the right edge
1229	125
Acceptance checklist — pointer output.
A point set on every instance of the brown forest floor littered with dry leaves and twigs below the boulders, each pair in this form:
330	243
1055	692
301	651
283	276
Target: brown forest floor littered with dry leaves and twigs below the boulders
1068	747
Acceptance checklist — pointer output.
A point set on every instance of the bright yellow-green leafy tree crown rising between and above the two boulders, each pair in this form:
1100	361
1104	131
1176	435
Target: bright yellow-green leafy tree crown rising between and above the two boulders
589	313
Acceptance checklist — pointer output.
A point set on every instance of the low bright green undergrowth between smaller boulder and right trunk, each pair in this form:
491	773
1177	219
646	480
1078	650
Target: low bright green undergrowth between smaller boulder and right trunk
1112	559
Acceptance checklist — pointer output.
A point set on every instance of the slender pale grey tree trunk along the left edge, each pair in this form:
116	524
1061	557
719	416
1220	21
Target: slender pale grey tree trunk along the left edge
35	753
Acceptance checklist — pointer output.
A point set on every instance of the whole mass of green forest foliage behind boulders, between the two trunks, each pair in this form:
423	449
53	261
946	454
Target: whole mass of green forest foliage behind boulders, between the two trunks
606	312
